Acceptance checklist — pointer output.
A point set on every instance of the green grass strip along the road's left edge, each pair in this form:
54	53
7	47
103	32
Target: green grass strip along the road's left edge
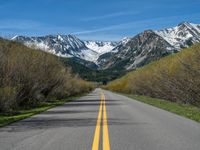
6	119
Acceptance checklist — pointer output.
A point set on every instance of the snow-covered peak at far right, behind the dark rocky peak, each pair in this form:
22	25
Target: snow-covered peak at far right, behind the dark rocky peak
181	35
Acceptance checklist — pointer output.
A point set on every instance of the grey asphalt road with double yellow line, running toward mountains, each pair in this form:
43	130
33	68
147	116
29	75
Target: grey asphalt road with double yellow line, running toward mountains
102	120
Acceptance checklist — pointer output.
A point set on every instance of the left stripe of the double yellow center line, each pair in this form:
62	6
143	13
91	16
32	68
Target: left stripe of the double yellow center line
95	145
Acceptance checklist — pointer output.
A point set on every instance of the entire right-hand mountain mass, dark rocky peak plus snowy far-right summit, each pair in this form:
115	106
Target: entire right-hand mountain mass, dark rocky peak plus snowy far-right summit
149	46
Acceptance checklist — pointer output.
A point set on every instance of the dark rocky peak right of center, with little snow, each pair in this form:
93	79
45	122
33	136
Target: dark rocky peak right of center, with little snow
137	51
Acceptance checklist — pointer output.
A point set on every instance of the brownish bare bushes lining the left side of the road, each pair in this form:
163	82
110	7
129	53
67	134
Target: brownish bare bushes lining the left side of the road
30	78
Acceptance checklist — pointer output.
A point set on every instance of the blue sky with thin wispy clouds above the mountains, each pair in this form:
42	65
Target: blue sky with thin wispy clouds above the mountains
107	20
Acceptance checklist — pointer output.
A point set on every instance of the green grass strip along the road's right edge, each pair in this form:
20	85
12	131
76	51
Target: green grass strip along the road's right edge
185	110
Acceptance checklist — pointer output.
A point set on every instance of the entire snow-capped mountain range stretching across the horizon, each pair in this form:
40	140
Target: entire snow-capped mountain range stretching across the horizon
127	54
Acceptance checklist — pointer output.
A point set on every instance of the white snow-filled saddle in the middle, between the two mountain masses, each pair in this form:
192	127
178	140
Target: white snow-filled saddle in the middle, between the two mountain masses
100	47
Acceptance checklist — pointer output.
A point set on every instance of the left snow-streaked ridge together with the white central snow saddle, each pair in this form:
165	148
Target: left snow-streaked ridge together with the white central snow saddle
68	46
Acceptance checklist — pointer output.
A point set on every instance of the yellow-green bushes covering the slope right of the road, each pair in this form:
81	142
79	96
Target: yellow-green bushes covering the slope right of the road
175	78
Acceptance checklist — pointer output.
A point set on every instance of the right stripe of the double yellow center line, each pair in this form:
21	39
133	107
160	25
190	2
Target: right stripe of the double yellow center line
106	142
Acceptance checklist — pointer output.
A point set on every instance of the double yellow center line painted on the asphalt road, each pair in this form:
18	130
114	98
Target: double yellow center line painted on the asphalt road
106	143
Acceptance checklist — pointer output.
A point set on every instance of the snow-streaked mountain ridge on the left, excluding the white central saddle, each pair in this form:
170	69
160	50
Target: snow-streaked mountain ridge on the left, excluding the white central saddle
60	45
